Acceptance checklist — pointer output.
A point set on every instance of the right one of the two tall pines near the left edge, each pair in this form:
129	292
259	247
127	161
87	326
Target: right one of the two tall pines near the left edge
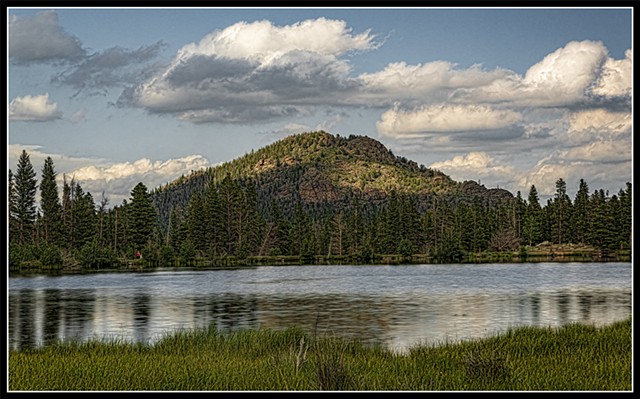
50	204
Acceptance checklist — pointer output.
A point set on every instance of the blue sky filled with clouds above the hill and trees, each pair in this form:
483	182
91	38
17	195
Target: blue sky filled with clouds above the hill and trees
509	97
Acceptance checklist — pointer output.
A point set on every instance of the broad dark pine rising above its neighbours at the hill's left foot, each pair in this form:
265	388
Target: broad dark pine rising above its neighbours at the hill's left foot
142	216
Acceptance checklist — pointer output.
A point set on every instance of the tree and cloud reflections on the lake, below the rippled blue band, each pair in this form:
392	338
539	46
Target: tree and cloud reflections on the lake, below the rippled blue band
389	317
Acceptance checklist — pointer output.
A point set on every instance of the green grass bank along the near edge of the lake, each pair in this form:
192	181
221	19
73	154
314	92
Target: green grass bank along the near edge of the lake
573	357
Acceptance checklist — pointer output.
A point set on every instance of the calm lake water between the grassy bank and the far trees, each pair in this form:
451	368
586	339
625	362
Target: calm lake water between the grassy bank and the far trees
395	306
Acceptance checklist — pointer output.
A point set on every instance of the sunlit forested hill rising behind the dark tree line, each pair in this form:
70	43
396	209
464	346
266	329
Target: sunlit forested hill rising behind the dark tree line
318	170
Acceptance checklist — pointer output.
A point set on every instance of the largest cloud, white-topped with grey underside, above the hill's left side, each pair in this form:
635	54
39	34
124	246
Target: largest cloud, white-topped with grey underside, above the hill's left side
276	71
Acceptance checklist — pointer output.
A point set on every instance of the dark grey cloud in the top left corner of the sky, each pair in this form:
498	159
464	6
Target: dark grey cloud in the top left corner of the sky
40	39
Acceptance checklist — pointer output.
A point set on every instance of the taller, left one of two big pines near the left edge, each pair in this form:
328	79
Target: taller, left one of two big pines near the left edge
24	210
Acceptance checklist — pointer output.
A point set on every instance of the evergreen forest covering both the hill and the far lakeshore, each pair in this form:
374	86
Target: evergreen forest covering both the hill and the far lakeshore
310	198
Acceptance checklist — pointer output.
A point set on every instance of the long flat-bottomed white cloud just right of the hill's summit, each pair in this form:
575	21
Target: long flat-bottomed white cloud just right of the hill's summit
444	118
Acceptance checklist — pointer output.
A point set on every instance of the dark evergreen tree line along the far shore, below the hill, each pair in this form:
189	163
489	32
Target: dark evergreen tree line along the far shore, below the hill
228	219
